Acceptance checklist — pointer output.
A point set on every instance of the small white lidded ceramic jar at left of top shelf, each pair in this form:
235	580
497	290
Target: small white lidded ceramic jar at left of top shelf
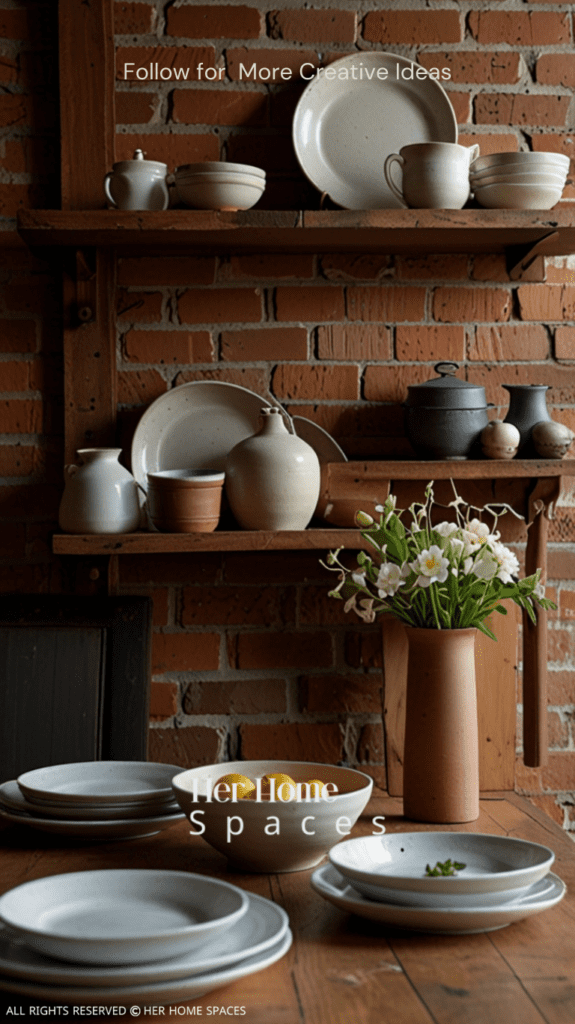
138	185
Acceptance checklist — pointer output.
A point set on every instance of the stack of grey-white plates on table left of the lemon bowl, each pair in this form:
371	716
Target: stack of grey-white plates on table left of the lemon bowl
97	800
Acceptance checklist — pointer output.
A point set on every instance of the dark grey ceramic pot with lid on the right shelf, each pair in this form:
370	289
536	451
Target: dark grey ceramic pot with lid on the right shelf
445	416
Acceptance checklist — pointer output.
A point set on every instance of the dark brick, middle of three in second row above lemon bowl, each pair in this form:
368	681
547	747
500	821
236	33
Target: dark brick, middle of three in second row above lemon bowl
239	697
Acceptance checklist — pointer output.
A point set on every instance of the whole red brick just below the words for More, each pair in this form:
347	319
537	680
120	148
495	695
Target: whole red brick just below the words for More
220	107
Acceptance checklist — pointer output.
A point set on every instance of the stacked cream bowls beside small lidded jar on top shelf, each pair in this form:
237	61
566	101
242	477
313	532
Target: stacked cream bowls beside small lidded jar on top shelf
214	186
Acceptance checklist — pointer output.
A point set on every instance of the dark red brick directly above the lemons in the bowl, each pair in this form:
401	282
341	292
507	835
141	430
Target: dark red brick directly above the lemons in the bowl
319	742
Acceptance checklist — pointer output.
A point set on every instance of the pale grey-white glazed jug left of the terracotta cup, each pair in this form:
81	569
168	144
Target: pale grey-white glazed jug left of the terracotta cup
101	496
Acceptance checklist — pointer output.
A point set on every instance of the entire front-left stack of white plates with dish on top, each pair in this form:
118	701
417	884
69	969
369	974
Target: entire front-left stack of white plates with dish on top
135	937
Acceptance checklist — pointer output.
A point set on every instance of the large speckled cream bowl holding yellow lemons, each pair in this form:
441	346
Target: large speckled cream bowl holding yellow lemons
306	829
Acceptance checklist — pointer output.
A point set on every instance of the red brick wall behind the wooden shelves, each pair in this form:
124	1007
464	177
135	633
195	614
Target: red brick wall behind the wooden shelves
250	657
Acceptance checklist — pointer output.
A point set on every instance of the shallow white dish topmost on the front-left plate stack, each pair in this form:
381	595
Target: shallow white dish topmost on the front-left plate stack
121	916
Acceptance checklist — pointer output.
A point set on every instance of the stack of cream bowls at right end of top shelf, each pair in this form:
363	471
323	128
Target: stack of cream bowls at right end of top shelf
519	181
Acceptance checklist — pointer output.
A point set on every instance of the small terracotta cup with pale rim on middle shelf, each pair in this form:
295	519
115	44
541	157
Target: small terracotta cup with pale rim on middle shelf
186	501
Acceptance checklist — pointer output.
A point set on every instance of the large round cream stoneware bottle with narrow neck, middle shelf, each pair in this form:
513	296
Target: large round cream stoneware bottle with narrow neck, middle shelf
273	479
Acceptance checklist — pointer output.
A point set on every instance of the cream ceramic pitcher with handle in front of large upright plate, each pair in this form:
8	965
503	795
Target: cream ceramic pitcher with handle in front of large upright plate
436	176
